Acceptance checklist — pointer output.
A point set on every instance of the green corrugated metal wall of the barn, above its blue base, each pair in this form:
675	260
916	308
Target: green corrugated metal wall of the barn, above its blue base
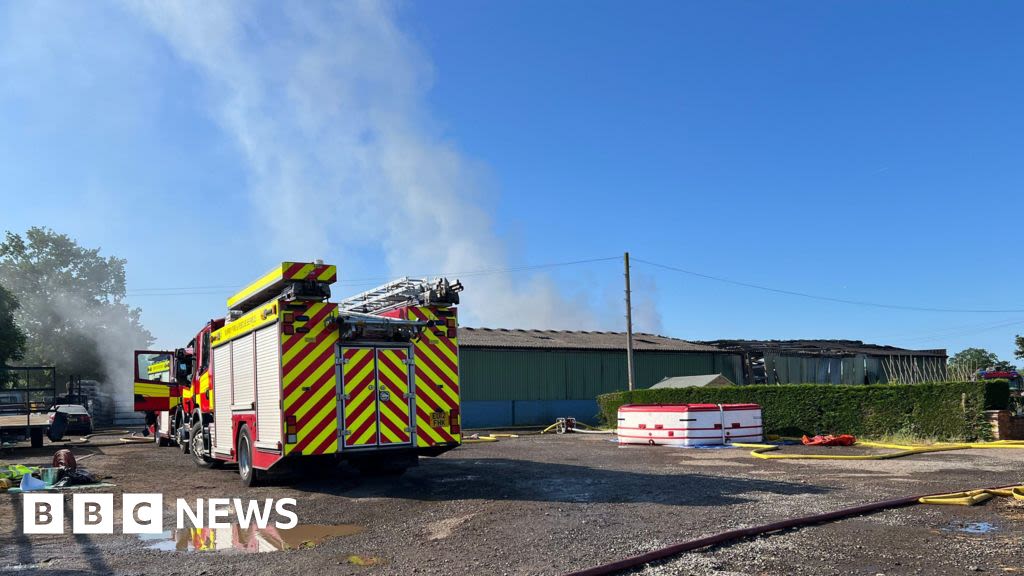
489	375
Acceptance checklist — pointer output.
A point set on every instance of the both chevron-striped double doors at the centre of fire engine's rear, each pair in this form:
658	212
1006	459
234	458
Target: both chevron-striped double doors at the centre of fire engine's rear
376	397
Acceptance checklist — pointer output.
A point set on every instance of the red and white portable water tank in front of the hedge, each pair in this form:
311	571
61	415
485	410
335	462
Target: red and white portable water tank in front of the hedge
690	425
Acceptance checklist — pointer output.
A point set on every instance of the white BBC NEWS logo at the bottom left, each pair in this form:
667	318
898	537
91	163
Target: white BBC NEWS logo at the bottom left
144	514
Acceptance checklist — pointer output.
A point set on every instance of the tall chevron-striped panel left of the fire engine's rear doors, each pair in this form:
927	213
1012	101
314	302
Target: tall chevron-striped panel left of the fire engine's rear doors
309	379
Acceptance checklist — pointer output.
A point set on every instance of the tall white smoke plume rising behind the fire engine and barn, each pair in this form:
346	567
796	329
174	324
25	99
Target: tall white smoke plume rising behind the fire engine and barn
326	101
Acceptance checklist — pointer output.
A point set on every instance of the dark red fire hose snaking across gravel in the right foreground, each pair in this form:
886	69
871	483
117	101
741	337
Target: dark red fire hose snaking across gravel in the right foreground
723	538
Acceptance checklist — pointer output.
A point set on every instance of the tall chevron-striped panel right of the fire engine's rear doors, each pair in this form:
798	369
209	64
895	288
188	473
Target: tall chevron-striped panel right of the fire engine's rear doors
437	378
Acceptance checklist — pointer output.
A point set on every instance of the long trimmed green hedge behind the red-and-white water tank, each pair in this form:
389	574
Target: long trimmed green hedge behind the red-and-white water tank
951	412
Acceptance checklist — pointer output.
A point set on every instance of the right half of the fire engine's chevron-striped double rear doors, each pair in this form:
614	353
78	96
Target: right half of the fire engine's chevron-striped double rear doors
394	397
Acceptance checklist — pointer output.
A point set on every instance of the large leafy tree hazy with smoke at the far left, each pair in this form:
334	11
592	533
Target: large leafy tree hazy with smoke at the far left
72	306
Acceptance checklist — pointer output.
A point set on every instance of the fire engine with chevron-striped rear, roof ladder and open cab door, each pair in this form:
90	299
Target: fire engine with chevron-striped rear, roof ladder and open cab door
290	377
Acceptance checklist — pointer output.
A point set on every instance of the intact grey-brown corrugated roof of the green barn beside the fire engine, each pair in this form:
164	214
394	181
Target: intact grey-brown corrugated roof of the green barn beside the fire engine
569	340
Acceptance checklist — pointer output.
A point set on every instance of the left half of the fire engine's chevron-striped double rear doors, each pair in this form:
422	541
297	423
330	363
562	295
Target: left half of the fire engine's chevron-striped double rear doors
360	378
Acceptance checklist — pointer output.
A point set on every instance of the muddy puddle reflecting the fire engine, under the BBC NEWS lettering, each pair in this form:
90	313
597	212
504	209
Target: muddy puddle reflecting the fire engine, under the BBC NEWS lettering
245	541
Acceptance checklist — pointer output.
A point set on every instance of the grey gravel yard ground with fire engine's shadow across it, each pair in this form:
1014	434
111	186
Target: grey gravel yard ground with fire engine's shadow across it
552	505
